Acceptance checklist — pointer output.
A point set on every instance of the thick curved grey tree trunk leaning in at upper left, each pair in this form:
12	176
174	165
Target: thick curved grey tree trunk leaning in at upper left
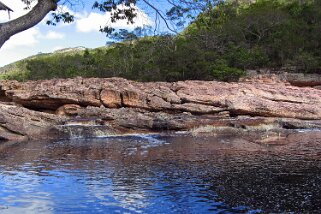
36	14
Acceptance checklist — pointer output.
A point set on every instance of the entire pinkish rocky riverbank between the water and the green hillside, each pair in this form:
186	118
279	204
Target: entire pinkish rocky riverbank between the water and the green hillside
63	108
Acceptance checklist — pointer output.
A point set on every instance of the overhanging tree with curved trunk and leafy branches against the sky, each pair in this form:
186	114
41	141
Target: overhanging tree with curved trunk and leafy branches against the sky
179	10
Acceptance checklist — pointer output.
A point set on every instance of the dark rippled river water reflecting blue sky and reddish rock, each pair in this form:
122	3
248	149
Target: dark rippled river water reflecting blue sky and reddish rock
160	174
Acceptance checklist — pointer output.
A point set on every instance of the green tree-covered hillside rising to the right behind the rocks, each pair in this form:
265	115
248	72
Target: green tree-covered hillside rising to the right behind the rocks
220	44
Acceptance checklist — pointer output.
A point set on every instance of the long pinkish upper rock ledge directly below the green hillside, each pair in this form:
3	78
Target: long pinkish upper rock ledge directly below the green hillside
200	97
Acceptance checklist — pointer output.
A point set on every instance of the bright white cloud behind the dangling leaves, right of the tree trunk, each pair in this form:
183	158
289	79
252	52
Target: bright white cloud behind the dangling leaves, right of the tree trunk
93	21
